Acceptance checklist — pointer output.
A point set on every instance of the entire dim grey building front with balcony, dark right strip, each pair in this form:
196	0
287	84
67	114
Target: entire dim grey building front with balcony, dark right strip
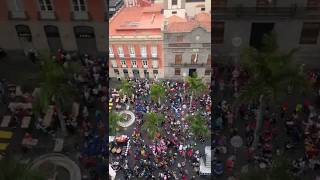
242	23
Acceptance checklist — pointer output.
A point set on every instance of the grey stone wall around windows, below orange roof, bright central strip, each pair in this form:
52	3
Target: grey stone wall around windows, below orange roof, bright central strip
188	37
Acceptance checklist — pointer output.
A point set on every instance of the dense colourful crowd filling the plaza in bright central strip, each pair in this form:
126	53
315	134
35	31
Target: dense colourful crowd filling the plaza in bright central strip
174	153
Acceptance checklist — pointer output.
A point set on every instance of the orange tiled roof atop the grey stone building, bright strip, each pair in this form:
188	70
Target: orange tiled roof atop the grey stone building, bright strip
178	24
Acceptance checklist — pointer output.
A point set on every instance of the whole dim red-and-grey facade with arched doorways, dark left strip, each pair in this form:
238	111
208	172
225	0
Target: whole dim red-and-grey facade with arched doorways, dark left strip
73	25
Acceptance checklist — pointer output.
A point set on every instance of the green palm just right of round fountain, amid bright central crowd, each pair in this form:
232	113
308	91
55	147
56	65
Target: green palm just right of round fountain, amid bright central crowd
151	123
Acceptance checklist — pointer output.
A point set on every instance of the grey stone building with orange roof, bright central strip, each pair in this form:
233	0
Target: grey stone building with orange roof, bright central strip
187	47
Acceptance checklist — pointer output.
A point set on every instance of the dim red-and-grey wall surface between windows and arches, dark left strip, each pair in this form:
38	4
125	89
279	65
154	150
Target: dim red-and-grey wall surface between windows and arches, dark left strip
63	9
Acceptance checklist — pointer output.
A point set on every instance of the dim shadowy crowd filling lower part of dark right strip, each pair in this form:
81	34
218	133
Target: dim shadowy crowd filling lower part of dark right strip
285	128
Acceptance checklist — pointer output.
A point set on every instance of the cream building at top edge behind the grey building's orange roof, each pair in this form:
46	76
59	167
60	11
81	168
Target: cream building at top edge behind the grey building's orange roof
186	8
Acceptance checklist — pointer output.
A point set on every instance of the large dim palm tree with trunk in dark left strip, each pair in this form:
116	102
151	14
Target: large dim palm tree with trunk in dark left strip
54	86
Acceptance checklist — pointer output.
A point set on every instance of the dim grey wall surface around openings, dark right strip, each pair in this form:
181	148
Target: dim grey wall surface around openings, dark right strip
288	32
